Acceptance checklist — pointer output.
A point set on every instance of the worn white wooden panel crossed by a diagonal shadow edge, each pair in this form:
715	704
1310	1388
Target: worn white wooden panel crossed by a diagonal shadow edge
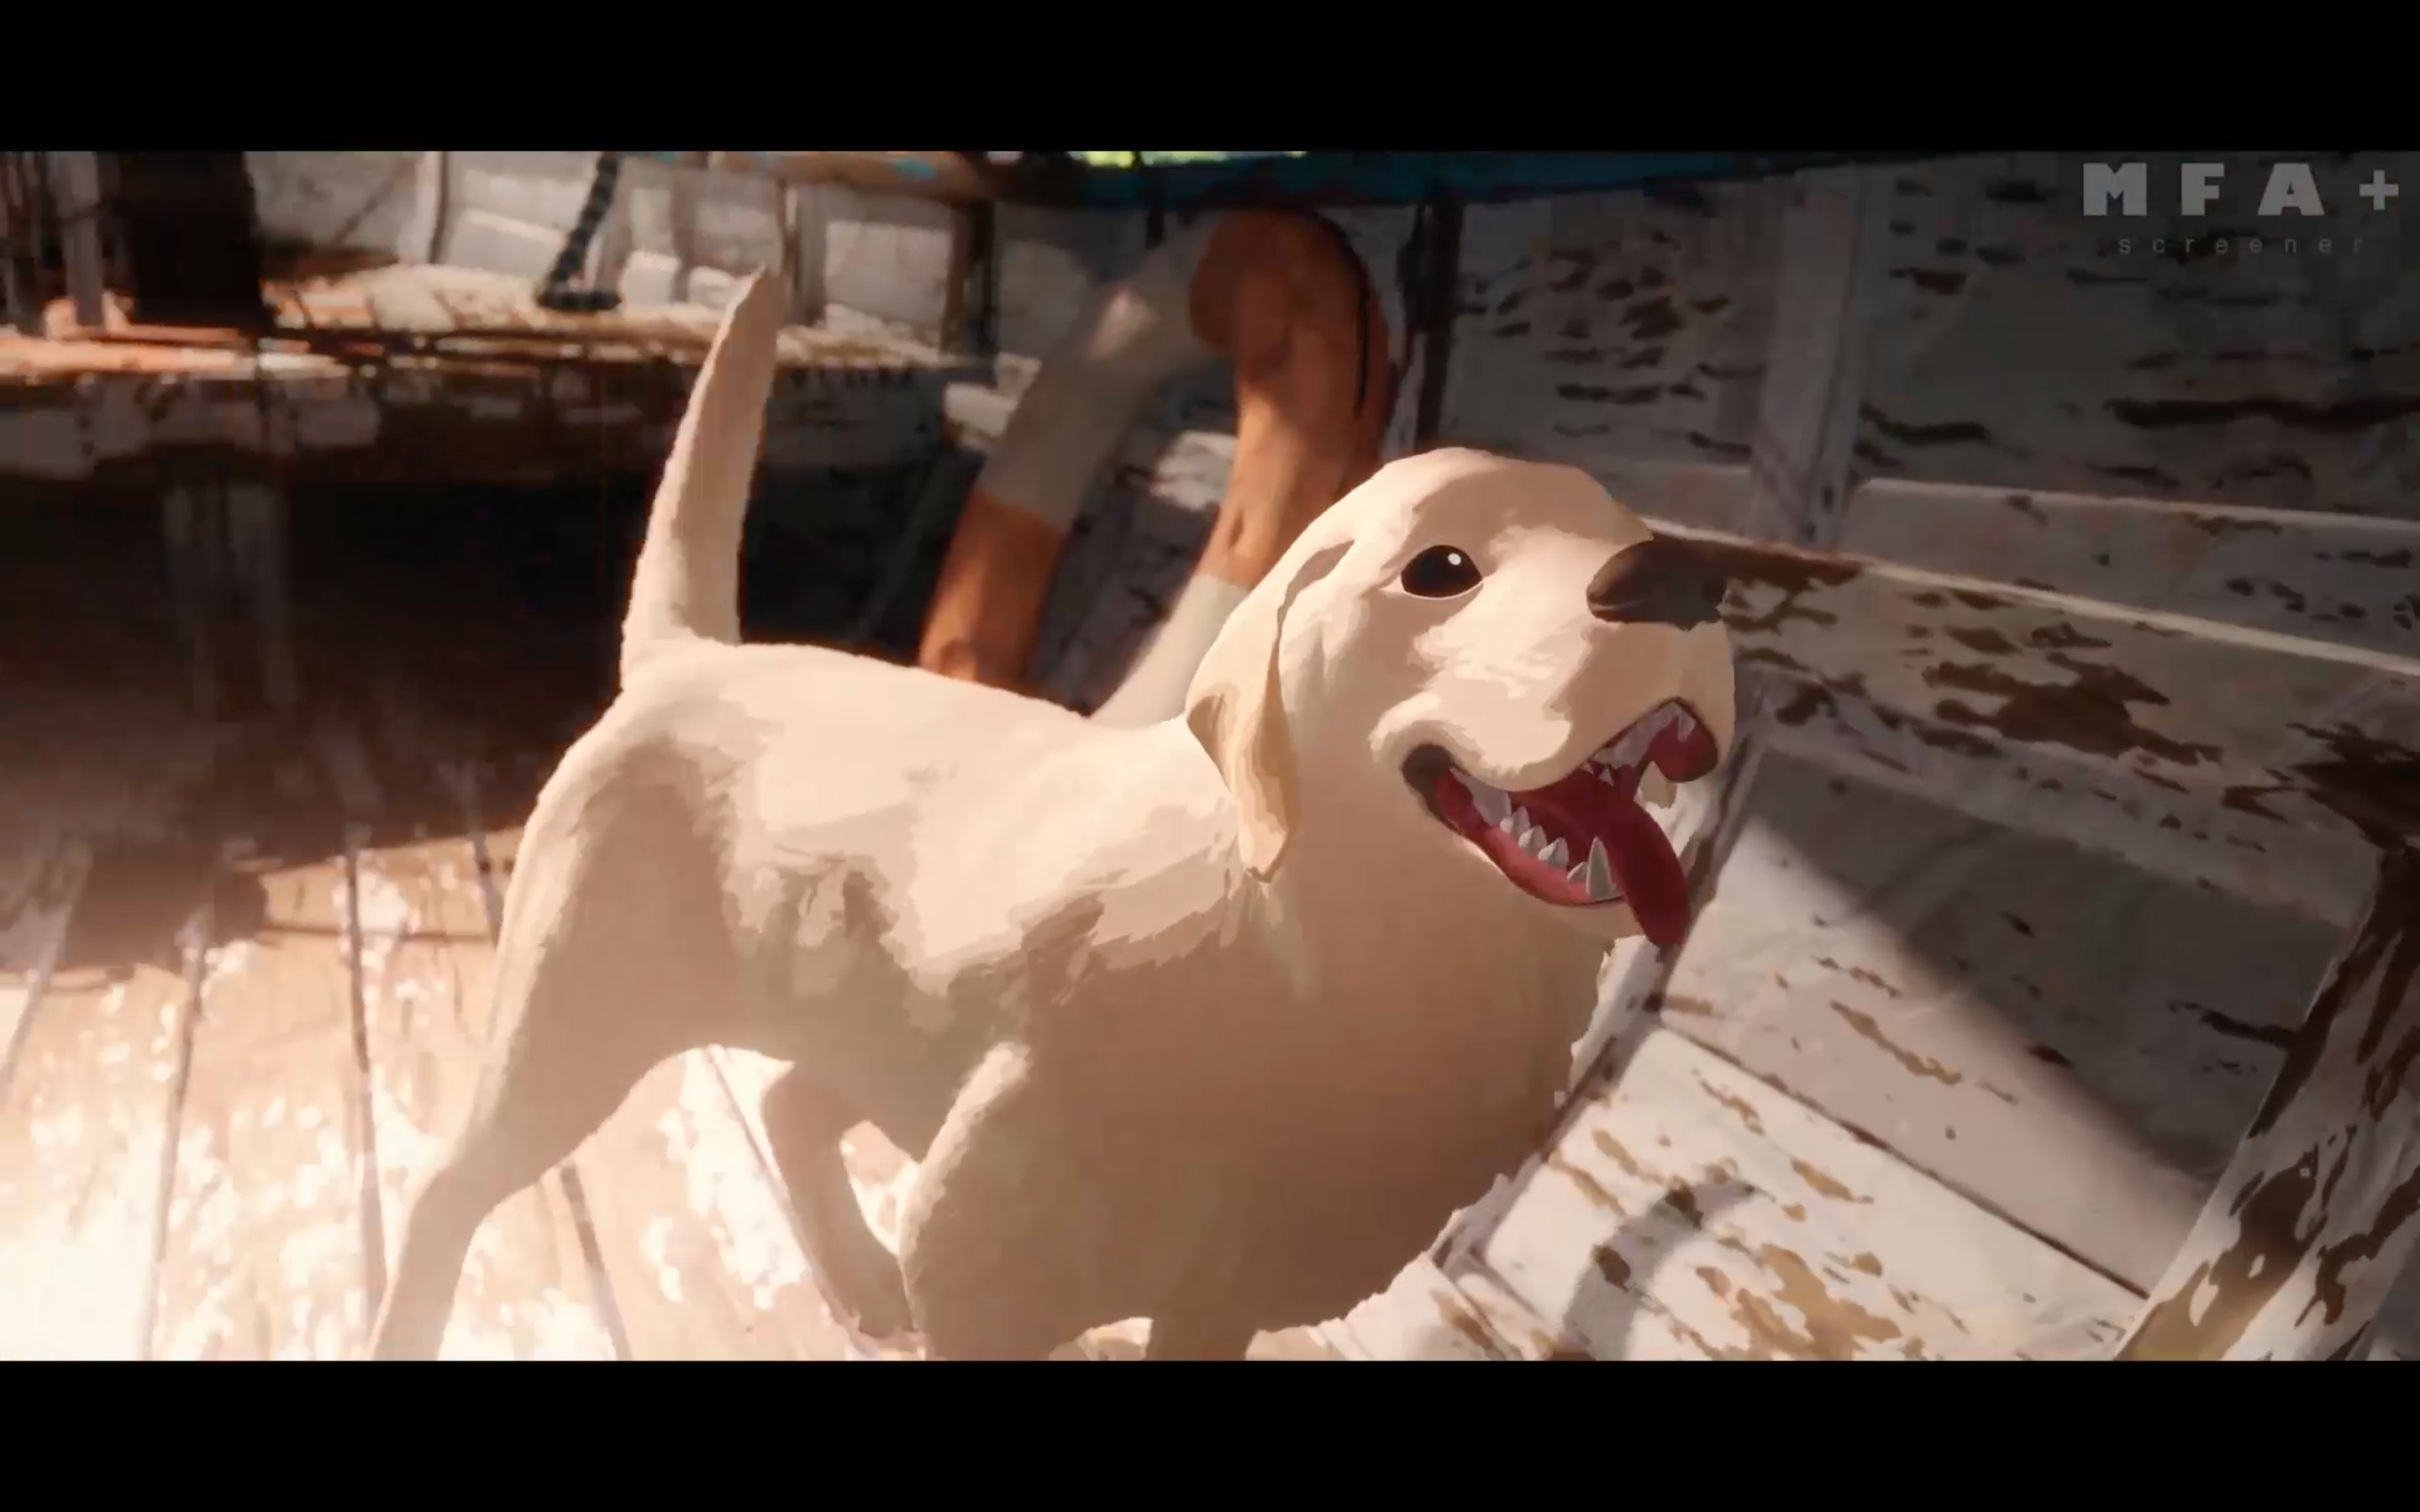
1959	991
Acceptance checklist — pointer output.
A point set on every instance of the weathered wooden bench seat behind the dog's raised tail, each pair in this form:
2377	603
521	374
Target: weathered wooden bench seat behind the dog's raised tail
434	374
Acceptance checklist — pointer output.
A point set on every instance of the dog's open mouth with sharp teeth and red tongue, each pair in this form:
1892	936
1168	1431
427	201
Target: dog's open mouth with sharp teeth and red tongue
1586	838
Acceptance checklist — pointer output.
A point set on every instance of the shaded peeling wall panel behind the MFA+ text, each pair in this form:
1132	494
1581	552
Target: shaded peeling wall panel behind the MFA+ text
2046	354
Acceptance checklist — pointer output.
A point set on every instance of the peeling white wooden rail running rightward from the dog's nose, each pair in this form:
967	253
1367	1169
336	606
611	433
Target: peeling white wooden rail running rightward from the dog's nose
2310	734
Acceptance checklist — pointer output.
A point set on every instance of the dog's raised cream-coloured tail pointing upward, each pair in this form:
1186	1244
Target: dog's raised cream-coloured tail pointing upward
688	582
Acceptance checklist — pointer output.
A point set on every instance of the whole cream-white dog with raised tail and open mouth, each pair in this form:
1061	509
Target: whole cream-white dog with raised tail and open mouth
1211	1022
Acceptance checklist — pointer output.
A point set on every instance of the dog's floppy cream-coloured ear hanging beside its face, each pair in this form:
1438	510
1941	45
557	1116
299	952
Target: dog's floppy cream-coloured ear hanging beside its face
1238	715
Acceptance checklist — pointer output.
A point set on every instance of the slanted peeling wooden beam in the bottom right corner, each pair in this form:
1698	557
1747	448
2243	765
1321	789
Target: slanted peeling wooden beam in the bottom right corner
2320	1208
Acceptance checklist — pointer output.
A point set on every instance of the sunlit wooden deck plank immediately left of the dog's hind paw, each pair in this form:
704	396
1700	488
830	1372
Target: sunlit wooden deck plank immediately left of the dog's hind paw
267	1240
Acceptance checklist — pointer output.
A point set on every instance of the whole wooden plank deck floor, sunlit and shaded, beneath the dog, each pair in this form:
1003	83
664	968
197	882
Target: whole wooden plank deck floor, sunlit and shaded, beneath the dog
246	969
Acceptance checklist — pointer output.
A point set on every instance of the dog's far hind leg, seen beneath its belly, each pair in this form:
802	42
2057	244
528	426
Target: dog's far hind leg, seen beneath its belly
860	1279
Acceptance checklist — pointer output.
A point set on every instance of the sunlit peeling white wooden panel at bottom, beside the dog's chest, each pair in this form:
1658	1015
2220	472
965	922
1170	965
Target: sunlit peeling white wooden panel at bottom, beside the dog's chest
1693	1211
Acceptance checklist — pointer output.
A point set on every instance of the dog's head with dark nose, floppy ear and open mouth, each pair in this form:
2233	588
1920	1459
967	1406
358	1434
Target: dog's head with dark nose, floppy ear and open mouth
1487	664
